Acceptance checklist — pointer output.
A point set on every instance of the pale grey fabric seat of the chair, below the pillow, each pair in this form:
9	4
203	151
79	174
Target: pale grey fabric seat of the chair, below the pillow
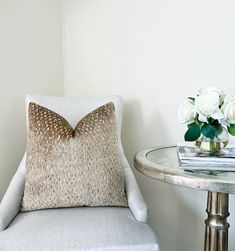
93	229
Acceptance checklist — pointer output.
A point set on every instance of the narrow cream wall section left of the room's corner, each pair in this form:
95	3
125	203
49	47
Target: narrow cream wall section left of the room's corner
30	62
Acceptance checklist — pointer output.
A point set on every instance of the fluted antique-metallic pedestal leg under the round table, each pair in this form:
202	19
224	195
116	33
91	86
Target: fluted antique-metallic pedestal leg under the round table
216	234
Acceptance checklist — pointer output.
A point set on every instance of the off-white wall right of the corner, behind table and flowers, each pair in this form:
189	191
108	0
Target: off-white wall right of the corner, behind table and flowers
153	53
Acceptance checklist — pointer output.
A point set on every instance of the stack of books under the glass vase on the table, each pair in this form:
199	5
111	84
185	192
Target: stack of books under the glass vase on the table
191	157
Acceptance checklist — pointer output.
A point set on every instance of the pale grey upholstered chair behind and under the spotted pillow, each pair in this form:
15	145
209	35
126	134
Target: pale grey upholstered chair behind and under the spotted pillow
76	228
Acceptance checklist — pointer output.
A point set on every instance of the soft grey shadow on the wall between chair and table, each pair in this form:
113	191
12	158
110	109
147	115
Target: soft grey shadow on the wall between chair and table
175	223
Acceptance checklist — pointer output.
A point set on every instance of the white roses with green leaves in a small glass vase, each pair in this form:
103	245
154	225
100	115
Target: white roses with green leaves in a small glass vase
210	116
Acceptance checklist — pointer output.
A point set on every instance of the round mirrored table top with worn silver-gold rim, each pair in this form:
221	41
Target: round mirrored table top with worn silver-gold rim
162	164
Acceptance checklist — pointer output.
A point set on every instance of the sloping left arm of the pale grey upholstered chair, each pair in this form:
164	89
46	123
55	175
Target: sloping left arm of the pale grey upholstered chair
11	202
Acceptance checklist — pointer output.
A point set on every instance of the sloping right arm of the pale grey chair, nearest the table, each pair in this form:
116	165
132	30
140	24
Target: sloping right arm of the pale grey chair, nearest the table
135	199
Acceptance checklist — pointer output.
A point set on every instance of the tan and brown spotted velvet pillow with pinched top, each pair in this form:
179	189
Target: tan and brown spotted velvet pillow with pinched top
69	167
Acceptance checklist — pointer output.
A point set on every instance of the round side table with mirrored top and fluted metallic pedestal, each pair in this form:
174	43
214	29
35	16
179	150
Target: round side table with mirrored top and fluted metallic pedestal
162	164
